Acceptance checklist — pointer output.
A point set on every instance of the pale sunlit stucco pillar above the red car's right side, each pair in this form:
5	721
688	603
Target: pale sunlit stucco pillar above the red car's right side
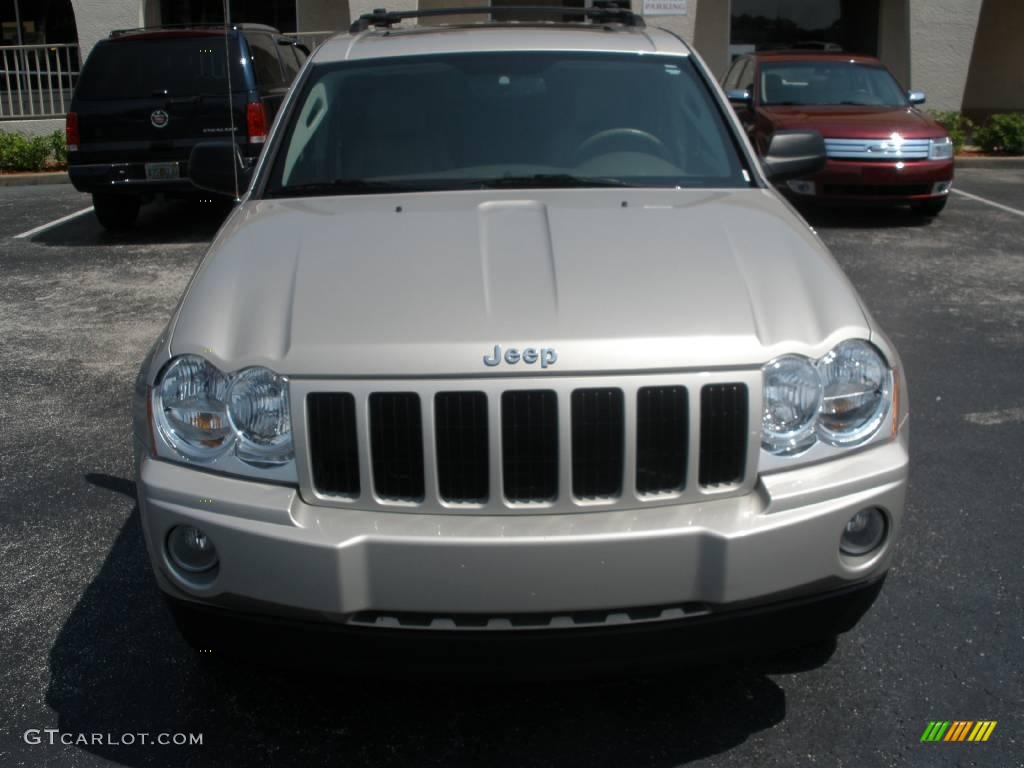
943	34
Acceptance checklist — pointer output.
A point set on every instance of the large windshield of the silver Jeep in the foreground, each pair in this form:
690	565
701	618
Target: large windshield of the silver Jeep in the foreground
493	120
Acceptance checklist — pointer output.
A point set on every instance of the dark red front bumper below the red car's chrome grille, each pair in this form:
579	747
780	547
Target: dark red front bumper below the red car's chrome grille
851	181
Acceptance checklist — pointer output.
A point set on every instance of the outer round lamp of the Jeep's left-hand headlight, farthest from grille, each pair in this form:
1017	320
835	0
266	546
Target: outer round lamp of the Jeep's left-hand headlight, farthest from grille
192	408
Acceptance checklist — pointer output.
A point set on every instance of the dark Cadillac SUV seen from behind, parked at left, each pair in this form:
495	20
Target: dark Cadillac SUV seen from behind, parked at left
147	97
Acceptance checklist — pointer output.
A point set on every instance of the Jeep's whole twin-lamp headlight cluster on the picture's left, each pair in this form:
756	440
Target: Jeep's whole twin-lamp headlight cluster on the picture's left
210	417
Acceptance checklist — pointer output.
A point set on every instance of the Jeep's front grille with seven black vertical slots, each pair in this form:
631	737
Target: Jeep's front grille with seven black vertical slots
529	447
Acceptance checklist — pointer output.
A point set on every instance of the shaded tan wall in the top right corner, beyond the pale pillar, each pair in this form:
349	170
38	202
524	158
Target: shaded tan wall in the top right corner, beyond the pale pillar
996	81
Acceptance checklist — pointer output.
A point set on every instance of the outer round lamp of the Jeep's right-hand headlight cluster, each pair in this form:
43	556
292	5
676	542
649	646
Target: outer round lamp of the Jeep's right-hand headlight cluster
858	392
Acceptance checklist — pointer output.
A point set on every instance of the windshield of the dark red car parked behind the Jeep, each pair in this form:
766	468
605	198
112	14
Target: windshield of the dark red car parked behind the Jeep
829	83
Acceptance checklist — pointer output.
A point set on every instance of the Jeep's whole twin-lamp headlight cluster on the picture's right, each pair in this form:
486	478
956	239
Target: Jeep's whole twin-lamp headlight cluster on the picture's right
841	401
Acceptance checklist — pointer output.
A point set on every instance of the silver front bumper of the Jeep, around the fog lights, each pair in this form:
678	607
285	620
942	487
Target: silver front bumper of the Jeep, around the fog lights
281	557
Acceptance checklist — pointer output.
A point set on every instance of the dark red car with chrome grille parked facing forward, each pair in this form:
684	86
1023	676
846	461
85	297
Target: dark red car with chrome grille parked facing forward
881	148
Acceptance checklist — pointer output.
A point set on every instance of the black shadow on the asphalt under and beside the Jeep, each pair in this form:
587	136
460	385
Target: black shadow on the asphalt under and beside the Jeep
119	667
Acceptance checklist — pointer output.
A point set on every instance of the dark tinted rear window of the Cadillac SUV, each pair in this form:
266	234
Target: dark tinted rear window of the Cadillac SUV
155	67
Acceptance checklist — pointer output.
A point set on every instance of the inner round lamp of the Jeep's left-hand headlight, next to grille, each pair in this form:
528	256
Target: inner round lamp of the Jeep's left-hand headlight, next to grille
260	412
